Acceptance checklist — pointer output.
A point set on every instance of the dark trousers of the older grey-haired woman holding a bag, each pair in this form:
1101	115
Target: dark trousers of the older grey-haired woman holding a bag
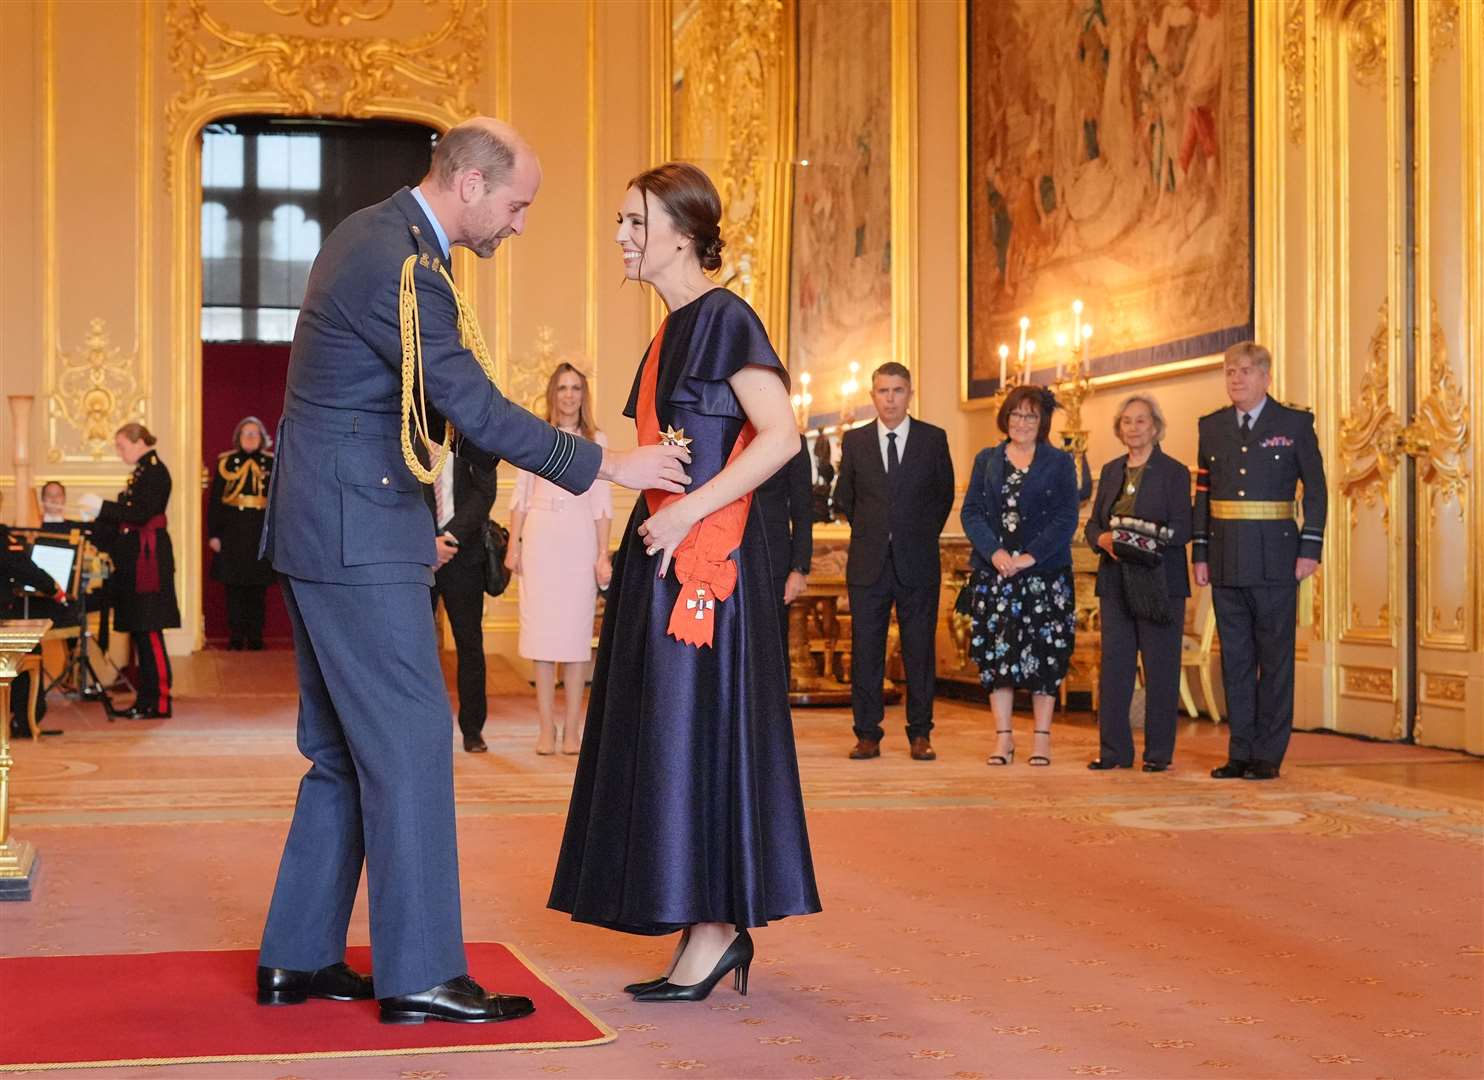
1126	639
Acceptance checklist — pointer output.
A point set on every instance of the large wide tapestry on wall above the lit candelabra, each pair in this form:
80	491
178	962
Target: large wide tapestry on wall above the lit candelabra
1109	162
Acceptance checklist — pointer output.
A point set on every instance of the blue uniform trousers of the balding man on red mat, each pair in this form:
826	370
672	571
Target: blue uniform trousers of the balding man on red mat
373	720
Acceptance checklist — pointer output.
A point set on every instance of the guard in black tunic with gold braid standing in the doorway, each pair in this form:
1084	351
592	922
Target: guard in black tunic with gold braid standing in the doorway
240	496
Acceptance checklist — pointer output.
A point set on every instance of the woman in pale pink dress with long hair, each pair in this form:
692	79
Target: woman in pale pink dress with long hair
560	551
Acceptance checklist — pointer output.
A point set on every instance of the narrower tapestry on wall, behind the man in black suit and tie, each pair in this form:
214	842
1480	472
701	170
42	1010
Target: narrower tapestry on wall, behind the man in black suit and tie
841	275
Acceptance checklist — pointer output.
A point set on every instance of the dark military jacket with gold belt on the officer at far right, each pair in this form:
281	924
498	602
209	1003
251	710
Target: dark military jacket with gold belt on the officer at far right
1281	452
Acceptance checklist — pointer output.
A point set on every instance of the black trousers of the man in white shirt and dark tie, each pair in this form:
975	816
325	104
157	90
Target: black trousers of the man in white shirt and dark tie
870	621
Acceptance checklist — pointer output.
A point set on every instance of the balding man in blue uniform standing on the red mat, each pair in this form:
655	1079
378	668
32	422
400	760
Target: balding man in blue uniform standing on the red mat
352	541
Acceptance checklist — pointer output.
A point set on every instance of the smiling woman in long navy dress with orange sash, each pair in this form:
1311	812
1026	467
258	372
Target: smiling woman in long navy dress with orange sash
686	812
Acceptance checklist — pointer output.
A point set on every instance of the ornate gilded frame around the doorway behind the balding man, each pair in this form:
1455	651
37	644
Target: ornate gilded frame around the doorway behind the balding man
226	72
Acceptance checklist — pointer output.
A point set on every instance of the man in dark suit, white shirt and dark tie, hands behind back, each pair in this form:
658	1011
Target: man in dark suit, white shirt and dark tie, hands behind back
896	489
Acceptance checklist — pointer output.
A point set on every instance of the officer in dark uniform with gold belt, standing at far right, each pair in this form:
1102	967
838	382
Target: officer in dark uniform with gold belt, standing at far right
1253	554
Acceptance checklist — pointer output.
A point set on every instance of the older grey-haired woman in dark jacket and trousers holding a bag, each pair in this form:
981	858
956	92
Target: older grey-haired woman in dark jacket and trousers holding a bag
1140	526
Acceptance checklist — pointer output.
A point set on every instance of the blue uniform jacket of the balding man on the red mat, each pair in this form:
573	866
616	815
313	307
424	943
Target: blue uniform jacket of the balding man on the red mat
344	507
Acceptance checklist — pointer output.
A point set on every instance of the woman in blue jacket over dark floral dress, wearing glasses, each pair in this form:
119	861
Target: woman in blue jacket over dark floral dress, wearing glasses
1020	514
